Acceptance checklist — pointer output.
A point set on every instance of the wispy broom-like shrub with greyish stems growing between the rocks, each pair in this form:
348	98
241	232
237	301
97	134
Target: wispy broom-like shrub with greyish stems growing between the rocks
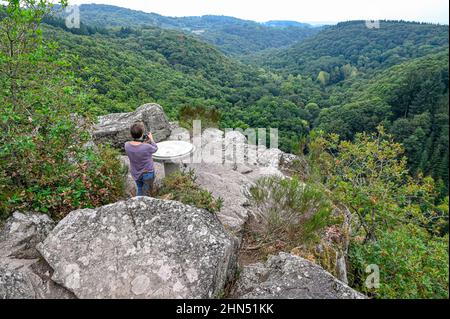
290	209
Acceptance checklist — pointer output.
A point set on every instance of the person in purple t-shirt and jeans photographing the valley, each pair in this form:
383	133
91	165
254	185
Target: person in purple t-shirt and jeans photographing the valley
140	152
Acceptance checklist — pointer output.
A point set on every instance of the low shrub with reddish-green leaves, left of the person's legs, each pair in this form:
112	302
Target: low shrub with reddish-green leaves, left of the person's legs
93	179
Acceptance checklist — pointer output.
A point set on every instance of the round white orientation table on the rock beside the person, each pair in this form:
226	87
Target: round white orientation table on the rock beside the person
170	153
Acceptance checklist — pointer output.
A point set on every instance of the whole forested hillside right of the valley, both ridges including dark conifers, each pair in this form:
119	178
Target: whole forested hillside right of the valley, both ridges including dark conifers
396	75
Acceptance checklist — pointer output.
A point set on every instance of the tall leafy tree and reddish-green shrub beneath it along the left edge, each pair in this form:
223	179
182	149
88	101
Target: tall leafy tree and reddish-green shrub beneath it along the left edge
45	164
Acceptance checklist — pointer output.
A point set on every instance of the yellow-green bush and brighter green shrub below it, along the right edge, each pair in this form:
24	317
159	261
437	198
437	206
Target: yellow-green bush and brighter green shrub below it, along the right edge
398	221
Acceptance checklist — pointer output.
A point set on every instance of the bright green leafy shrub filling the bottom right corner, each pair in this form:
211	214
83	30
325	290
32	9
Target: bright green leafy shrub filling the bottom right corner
413	264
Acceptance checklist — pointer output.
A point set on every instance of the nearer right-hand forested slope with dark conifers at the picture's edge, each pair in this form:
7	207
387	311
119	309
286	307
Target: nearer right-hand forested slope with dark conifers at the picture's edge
410	99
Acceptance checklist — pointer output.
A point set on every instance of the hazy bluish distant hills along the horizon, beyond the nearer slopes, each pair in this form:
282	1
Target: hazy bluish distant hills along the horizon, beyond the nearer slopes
231	35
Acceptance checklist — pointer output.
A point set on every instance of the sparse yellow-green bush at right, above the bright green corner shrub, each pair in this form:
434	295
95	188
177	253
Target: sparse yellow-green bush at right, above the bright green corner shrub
370	177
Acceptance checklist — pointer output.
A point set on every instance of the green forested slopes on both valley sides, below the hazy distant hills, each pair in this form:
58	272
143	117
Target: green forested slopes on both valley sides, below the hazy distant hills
346	86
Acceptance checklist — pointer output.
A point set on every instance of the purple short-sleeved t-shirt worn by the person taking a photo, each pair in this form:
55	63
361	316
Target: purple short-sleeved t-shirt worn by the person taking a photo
140	158
